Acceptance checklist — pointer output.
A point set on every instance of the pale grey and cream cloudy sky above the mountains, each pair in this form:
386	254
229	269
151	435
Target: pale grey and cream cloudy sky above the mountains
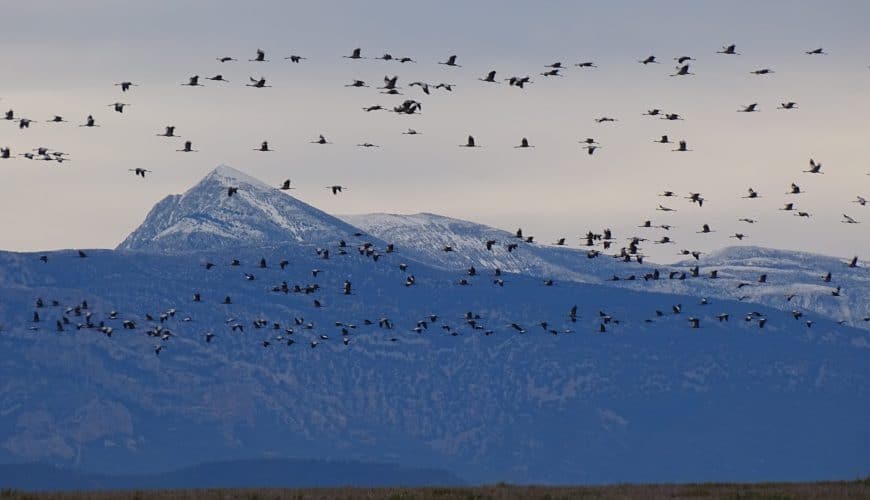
63	58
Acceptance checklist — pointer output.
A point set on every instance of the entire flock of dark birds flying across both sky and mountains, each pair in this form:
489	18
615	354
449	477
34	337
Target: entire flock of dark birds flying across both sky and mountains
632	251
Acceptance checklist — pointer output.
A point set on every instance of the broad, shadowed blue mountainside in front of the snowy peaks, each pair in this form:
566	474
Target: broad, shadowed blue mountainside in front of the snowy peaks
491	381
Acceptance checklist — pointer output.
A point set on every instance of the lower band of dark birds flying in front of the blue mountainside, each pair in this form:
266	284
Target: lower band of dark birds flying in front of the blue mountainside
167	325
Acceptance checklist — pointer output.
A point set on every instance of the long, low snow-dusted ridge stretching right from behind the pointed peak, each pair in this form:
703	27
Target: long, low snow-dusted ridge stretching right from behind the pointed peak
423	237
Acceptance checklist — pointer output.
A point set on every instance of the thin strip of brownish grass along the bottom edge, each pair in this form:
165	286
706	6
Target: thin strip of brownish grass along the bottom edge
758	491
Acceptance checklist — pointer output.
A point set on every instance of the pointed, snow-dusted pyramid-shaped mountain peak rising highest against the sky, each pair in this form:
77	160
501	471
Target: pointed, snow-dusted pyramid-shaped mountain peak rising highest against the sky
205	218
